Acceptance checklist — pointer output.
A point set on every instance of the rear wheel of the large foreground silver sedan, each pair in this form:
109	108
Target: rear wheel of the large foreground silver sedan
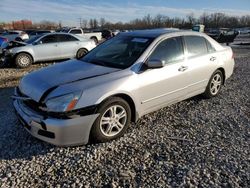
214	85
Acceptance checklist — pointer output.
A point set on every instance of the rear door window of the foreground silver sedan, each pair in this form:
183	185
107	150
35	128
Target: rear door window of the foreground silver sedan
196	45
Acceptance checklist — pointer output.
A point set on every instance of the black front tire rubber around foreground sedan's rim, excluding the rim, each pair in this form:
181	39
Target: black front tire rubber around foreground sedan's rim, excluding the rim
96	135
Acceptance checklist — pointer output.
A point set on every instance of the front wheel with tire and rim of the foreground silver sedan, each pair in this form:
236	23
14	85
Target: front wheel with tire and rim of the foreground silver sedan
114	119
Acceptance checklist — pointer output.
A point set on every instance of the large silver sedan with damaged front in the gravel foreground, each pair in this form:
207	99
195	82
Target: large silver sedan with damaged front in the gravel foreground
95	98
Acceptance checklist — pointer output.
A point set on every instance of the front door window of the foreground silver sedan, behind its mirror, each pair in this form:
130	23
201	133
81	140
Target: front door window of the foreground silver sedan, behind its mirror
170	50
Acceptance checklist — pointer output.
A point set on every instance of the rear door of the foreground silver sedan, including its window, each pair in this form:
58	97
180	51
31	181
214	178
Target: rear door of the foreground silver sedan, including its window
201	63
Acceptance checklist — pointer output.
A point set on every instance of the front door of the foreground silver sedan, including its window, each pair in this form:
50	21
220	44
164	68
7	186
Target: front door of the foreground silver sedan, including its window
166	85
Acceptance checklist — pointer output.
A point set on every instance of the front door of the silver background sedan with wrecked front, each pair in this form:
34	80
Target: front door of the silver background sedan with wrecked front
47	48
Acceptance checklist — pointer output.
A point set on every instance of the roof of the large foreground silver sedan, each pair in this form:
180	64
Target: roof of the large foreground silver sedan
152	33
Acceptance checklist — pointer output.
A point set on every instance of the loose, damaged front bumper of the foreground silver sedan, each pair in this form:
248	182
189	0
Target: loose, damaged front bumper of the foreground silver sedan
61	132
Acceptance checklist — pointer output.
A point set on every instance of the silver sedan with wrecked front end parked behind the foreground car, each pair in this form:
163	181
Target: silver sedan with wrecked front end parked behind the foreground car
52	46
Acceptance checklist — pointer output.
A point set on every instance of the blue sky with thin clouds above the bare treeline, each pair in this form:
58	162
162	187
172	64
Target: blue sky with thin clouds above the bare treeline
69	11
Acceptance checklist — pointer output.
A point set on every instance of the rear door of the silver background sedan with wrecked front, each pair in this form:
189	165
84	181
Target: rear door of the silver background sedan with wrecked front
68	45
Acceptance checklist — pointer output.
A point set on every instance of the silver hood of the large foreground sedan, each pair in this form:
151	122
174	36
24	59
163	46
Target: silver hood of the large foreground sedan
39	83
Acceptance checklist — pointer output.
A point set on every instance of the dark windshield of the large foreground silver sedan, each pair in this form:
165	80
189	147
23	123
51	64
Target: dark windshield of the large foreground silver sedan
119	52
